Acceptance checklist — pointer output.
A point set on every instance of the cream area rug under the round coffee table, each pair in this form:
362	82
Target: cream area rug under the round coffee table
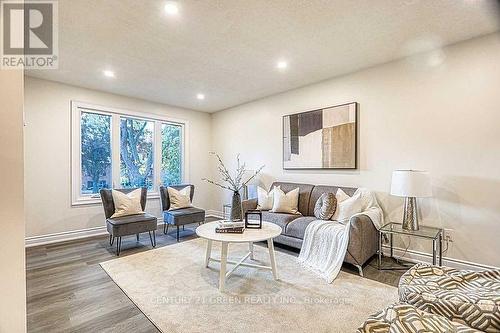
172	287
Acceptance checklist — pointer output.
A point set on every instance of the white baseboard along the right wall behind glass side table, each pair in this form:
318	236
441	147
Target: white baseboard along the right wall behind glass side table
426	258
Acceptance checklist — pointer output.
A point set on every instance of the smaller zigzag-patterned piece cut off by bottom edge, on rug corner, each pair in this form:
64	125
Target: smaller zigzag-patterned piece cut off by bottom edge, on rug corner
404	318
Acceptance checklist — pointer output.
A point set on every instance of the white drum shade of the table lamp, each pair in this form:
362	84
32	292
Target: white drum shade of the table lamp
411	183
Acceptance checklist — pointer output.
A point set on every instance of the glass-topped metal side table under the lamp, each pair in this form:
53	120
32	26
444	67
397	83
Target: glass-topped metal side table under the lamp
431	233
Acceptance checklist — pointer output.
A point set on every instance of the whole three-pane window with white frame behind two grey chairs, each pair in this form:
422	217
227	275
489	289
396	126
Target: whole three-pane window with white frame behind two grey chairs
118	148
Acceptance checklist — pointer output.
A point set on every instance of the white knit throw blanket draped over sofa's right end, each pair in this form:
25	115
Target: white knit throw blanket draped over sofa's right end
325	242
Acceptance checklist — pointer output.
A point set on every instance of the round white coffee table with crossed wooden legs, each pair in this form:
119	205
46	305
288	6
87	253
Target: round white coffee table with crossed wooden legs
267	233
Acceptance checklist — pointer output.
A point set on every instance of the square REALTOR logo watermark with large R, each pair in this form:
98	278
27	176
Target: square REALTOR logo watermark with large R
29	32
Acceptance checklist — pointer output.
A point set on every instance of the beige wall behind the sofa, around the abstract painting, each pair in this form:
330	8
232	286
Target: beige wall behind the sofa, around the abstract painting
445	119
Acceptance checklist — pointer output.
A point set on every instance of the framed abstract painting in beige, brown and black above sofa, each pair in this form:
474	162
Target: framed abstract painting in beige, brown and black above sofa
321	139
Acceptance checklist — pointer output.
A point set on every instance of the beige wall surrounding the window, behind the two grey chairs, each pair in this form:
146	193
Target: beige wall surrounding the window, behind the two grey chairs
48	169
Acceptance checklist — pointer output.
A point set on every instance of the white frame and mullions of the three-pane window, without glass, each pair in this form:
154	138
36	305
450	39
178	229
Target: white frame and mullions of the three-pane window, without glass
78	107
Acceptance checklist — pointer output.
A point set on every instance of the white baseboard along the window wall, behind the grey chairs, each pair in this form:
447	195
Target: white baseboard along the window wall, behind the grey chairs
85	233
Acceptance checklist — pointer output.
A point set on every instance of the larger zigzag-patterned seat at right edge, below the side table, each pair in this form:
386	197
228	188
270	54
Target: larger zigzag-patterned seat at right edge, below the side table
467	297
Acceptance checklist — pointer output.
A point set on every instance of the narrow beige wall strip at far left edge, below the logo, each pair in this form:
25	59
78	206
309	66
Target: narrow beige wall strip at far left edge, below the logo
12	259
